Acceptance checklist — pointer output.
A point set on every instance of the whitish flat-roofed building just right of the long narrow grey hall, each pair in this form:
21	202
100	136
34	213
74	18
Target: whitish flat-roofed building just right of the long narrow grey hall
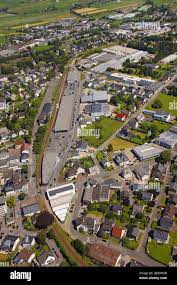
92	96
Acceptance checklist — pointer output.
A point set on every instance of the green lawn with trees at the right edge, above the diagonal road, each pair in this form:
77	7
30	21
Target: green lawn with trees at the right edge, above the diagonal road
166	100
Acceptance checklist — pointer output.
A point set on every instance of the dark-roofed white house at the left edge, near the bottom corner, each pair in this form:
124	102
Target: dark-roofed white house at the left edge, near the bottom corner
9	243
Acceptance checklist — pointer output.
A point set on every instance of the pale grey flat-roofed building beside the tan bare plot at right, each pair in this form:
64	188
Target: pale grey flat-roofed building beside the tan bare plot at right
146	151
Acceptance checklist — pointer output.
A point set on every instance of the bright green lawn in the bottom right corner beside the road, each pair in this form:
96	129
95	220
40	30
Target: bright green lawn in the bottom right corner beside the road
159	252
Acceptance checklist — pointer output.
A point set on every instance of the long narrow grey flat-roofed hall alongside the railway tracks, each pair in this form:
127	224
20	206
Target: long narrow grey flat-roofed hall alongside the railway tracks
63	121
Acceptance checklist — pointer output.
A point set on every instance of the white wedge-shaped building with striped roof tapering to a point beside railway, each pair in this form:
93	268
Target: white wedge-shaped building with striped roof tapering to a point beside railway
60	198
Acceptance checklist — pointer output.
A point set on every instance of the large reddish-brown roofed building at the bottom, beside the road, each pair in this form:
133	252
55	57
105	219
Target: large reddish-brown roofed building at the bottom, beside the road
105	255
